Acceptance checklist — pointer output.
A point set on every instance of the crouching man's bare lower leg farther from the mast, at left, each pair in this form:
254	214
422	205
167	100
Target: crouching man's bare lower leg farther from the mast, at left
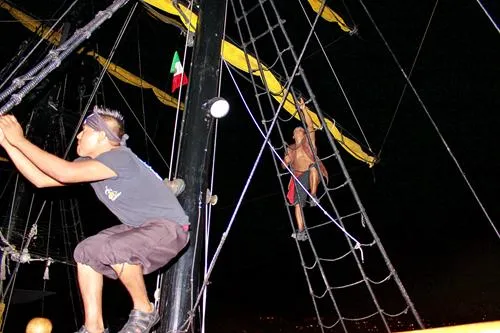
90	283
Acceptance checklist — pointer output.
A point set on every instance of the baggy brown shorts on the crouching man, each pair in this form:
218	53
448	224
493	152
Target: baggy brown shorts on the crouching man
152	245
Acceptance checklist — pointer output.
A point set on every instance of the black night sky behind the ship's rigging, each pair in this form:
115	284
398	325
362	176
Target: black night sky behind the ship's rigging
438	239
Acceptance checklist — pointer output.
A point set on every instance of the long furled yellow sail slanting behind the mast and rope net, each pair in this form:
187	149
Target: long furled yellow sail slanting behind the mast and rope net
236	57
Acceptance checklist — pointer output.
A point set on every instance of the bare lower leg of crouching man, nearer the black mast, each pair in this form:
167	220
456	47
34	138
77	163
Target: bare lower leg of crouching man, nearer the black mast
132	278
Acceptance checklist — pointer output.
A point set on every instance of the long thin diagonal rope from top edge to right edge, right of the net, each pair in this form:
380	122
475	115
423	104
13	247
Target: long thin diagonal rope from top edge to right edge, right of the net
433	123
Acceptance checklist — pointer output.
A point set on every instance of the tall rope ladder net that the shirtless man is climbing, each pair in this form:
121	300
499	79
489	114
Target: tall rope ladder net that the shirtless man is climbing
349	276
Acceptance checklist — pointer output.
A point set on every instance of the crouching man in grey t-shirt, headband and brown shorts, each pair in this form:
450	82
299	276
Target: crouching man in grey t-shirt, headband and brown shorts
153	228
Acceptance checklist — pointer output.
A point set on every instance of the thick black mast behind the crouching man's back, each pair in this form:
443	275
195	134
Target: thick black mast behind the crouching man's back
181	285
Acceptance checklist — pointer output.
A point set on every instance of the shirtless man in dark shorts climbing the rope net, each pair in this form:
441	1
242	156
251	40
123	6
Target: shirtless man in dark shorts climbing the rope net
300	158
